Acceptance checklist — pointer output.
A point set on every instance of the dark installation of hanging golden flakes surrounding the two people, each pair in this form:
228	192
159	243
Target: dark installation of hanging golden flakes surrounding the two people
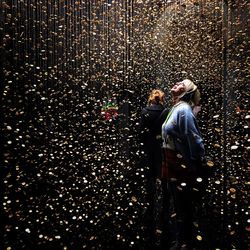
74	76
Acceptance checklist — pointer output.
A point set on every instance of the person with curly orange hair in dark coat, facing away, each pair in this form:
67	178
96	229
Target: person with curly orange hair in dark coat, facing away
152	117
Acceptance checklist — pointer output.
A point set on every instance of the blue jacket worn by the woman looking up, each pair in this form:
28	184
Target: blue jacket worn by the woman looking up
180	131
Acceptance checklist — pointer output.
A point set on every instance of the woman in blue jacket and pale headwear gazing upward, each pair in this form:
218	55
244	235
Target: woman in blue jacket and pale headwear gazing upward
183	155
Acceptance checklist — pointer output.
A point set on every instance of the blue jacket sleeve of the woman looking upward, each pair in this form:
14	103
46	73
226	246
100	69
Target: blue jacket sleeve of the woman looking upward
190	133
